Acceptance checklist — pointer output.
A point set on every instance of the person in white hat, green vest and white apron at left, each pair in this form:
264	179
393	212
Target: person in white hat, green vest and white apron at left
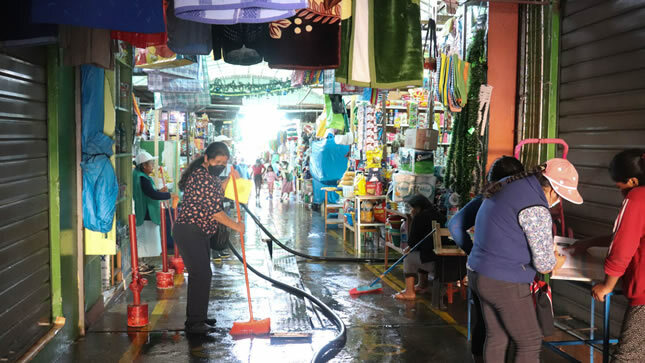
147	209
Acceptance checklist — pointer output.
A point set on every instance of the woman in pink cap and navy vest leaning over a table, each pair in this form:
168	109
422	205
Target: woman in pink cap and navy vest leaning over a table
513	242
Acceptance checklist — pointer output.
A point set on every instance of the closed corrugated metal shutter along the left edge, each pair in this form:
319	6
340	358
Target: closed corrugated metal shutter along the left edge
25	291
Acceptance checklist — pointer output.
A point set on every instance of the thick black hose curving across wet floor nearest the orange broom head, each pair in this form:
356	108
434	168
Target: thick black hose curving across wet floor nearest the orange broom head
329	350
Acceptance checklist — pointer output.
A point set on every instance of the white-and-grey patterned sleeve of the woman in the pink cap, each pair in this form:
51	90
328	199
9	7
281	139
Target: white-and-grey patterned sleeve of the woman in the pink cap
537	225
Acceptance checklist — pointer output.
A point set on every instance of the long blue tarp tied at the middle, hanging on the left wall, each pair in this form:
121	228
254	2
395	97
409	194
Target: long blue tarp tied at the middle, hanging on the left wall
100	187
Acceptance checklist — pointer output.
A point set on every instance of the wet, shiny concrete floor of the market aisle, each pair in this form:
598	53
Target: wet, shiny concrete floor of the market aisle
379	328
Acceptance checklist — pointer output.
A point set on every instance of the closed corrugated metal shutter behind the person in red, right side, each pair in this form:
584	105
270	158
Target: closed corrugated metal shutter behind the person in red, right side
602	100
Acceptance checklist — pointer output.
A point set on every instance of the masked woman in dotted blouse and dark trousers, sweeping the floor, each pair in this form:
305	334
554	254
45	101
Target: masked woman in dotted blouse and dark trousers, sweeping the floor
200	215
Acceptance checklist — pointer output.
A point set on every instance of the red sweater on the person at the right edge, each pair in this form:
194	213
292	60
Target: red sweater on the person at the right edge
627	252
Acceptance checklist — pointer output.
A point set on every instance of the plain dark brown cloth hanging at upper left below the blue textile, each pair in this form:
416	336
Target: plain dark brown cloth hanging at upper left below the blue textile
86	46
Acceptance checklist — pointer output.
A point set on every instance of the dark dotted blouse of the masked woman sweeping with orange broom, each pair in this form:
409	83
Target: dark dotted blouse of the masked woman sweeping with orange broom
203	196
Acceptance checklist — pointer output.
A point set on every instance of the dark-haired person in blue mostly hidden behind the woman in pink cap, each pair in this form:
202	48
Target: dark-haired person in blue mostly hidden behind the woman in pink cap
459	225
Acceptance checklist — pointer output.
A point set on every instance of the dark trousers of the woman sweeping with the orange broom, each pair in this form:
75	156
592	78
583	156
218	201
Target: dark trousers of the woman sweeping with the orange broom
194	249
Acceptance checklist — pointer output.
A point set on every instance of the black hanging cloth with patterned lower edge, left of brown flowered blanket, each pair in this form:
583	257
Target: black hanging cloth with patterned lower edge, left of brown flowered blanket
240	44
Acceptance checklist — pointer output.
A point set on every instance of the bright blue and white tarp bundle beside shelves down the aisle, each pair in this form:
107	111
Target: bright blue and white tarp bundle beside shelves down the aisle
328	160
